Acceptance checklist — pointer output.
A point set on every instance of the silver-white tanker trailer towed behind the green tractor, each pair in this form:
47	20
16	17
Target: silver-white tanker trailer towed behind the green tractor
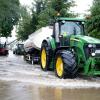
33	44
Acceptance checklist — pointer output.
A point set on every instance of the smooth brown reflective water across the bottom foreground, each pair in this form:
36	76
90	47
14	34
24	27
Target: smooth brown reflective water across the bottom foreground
22	91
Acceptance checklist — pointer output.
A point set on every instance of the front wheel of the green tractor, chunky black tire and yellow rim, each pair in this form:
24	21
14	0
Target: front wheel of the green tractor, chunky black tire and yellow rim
69	68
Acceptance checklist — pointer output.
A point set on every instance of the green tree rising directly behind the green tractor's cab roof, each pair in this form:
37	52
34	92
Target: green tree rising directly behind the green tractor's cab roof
52	8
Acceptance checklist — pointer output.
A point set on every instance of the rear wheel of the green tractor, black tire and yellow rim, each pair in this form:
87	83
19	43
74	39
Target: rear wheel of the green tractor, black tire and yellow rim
46	49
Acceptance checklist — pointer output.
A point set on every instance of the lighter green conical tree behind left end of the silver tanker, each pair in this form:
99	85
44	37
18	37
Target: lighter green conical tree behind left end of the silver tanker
24	27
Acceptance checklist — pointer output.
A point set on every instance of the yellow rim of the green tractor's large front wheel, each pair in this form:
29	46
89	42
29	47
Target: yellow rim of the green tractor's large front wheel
59	66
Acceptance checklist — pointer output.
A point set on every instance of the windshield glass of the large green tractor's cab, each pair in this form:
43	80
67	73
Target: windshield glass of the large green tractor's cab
75	28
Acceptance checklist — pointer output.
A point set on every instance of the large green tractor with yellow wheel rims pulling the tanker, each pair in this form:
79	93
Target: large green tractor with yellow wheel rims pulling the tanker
69	51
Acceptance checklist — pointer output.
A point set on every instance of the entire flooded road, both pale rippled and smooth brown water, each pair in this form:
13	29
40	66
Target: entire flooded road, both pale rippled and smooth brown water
22	81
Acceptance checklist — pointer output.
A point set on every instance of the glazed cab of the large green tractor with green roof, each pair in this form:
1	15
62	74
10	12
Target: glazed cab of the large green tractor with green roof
66	27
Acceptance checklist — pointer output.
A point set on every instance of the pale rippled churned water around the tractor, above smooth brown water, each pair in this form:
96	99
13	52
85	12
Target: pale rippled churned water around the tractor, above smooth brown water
13	68
